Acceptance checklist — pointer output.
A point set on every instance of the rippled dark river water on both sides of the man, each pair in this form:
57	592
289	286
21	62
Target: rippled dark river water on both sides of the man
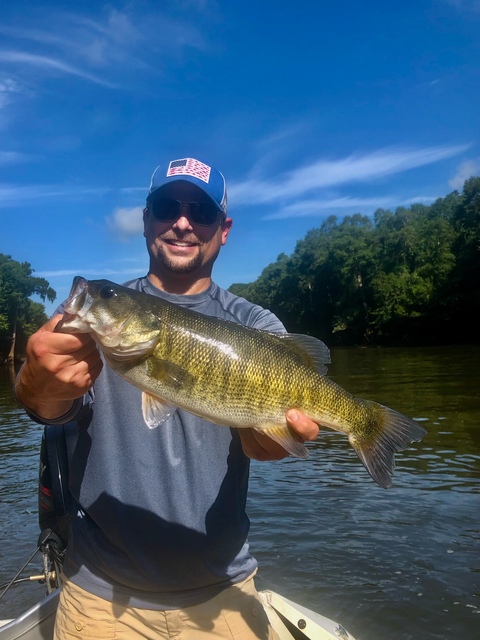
395	564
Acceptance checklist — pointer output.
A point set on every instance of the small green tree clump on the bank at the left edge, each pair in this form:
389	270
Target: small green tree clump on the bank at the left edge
18	314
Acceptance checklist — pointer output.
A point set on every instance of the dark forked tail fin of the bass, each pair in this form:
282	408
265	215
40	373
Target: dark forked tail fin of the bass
387	433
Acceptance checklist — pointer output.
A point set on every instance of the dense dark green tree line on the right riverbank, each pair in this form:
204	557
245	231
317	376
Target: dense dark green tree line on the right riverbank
411	276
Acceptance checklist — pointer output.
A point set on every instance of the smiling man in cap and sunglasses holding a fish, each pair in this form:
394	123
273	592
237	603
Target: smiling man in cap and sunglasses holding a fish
158	548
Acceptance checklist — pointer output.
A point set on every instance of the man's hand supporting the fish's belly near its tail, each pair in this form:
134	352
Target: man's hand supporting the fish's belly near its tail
258	446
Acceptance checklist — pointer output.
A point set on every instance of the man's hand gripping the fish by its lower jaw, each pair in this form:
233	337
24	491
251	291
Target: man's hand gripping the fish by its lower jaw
59	368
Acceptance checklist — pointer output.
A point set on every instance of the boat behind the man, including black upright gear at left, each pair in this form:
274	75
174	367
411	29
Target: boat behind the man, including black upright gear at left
290	620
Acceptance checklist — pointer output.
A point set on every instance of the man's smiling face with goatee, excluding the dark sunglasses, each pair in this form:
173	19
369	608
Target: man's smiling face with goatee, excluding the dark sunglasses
180	246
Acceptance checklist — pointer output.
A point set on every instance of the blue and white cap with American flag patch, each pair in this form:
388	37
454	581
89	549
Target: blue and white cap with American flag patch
206	178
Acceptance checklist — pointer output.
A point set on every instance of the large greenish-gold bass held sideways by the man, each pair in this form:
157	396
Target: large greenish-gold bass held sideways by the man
230	374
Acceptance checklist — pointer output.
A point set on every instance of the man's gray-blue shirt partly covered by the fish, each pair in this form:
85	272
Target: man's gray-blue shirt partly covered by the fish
161	522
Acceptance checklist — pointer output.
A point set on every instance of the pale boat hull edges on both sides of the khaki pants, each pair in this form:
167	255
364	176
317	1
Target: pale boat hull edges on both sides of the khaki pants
290	620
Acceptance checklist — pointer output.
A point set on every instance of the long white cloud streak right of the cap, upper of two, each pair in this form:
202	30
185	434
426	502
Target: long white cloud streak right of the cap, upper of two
321	173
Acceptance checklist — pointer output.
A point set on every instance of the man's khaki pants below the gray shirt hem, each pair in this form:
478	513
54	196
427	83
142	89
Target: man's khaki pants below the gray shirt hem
236	613
